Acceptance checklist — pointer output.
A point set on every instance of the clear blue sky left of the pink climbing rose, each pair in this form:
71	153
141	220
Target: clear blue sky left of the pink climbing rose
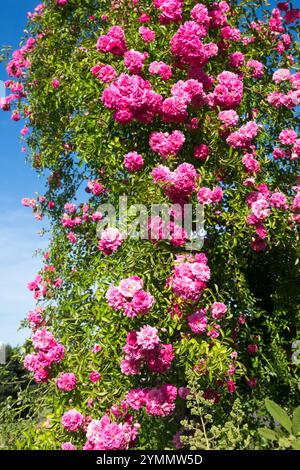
18	228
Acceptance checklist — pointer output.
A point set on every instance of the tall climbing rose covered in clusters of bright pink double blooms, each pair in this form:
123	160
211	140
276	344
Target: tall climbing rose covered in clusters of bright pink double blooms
162	102
